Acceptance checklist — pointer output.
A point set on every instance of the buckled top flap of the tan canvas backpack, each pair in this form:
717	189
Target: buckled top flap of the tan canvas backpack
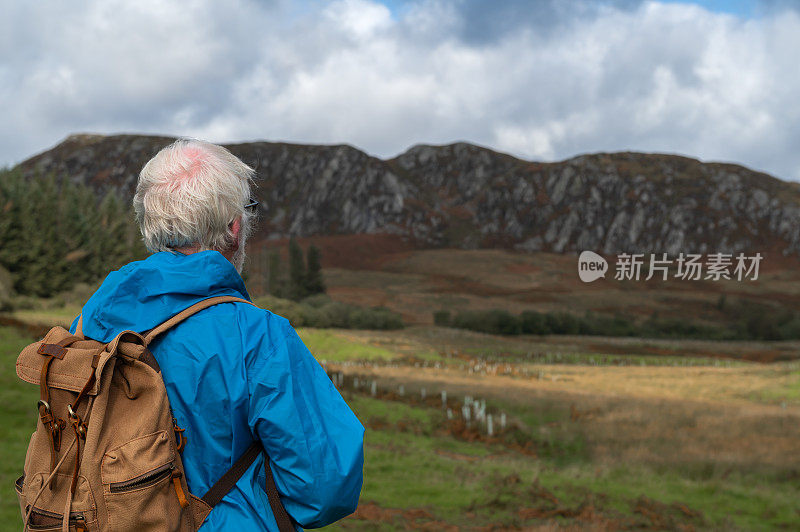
70	367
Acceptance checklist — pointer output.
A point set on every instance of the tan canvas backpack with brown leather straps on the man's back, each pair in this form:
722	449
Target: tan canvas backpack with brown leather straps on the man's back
106	454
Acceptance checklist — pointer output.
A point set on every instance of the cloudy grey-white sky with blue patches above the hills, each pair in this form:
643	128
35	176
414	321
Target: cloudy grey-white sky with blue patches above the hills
543	80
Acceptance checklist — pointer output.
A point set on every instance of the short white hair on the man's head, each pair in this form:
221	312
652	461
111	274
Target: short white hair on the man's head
189	194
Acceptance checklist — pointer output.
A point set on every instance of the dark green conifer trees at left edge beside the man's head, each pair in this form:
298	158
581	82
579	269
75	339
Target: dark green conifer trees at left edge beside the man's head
56	234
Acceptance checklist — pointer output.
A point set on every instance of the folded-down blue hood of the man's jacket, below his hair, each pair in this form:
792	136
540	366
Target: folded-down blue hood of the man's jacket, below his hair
145	293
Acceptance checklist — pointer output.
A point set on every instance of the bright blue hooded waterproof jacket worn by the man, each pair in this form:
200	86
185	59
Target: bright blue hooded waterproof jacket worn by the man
235	374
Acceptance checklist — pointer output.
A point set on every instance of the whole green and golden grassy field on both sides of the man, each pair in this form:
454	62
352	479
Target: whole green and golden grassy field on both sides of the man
590	443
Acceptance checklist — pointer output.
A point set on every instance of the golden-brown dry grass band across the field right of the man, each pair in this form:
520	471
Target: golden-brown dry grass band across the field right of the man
695	419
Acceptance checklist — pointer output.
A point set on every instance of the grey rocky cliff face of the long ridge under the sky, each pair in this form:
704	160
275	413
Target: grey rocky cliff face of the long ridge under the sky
467	196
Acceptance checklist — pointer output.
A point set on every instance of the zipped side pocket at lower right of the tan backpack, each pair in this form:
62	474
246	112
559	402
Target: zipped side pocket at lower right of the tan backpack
143	485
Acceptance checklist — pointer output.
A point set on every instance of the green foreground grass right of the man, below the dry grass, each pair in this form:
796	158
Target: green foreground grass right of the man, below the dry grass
420	470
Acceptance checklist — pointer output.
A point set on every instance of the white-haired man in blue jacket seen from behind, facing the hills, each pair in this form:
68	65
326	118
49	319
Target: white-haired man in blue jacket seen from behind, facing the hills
234	373
